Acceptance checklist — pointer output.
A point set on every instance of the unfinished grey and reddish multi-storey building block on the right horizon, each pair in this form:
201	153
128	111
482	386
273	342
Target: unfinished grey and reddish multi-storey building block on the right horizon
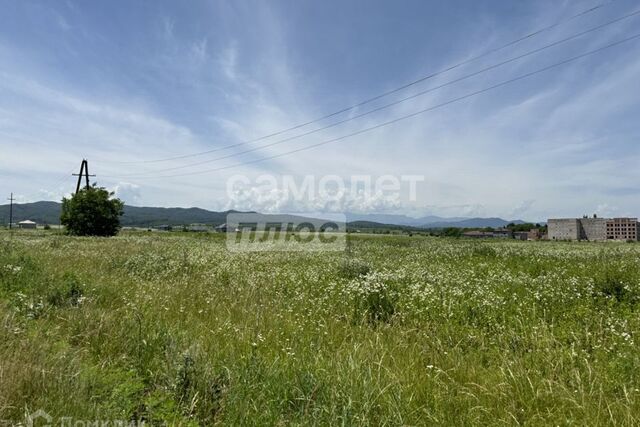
593	229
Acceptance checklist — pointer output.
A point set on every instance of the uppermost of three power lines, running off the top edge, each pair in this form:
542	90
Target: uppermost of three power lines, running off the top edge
384	94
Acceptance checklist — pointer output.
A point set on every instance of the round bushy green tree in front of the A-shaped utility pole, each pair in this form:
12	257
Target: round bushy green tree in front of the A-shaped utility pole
92	212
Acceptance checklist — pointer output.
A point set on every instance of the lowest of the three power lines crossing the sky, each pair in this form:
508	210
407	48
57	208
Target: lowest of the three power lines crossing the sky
417	113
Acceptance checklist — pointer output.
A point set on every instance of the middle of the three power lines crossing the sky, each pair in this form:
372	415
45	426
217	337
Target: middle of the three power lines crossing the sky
416	95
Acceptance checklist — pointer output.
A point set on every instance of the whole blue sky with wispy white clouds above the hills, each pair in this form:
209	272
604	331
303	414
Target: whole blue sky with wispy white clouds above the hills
127	81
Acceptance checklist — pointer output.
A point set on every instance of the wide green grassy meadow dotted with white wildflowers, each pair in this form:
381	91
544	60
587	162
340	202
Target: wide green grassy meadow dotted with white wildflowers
172	328
